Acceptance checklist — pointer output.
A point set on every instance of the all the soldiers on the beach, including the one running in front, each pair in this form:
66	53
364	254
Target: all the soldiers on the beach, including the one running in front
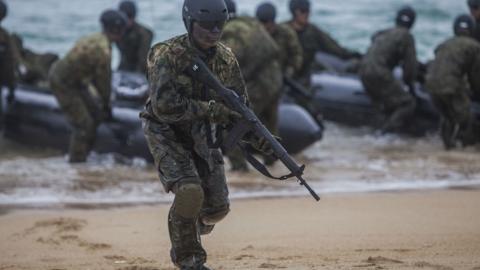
251	56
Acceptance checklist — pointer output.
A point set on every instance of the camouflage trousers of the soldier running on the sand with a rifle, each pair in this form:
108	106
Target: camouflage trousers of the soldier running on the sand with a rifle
201	193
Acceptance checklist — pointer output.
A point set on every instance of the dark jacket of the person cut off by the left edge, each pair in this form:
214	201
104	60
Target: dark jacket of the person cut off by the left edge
7	60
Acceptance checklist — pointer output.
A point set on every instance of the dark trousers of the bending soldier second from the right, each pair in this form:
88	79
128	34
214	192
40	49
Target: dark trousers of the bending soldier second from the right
388	95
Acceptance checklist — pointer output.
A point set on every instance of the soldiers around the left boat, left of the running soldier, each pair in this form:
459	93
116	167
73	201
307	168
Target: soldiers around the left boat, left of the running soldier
85	67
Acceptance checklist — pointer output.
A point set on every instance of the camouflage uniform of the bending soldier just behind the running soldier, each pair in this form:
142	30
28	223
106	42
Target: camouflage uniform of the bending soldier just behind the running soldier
257	54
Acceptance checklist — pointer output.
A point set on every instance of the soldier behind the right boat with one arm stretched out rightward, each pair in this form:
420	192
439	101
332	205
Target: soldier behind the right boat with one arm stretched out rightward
312	40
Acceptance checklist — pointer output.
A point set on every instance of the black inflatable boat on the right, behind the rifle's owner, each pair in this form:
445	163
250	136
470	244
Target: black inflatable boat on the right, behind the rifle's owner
340	97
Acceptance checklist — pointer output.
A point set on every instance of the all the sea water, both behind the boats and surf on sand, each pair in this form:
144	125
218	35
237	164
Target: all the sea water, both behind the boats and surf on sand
346	160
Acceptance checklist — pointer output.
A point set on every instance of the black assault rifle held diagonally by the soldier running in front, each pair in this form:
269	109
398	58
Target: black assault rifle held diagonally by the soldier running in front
247	125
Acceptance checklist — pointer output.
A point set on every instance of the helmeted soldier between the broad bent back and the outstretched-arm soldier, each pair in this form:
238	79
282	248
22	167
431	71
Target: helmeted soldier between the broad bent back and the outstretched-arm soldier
290	56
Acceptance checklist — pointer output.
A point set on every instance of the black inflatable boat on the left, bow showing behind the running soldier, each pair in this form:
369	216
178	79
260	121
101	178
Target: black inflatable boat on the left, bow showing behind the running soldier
35	119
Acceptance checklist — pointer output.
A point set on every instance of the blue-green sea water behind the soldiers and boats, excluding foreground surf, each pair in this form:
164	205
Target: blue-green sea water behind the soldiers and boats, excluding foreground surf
54	25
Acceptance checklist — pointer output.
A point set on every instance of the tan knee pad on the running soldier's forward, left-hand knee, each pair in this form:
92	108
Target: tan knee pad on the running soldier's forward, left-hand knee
188	200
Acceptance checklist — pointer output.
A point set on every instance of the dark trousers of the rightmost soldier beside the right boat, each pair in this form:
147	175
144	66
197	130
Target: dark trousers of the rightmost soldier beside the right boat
458	123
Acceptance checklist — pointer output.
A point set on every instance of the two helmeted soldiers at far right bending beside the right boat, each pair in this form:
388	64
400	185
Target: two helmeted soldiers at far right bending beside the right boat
452	78
